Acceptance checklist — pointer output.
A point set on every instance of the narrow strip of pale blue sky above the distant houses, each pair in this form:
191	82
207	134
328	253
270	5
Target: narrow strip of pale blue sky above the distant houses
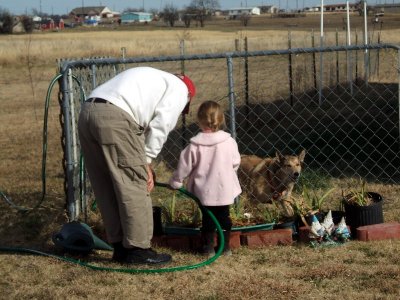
65	6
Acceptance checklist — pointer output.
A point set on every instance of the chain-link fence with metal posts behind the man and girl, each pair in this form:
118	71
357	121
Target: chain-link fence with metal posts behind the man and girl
340	104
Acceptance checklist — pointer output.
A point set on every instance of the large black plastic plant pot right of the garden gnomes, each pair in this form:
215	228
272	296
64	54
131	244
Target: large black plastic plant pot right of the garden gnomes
357	216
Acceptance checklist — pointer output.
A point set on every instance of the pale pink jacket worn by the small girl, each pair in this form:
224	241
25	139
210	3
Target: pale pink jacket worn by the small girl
210	163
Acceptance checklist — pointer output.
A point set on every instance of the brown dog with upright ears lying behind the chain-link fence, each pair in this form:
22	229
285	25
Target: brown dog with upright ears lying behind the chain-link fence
271	179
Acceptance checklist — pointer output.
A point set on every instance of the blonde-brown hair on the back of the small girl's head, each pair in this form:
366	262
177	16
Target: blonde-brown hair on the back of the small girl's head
210	115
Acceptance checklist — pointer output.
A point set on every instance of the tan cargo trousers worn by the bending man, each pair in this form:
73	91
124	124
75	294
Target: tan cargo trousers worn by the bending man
113	150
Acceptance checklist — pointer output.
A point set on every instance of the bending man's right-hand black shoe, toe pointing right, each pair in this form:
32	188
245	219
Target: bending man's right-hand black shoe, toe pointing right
146	256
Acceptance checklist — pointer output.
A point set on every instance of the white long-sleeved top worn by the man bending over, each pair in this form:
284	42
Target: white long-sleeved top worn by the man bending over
153	98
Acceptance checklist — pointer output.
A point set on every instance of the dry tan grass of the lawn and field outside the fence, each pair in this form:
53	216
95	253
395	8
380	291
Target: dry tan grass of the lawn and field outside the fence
27	64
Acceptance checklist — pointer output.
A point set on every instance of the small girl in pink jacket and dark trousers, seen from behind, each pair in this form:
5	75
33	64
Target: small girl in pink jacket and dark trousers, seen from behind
210	163
